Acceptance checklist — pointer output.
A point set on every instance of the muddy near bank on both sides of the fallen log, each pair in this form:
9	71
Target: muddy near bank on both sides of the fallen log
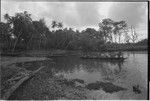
41	86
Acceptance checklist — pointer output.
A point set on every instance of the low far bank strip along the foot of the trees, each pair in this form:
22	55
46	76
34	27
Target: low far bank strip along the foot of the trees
59	52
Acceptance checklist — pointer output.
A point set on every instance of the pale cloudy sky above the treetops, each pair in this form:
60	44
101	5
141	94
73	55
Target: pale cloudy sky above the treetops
81	15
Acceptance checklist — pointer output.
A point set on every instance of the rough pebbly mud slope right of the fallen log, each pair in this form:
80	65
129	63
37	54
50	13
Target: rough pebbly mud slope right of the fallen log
45	86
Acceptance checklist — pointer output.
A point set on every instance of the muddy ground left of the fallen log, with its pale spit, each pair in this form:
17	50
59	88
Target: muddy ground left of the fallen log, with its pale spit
9	70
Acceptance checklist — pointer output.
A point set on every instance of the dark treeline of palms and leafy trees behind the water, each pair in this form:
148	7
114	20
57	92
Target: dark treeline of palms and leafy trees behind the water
20	32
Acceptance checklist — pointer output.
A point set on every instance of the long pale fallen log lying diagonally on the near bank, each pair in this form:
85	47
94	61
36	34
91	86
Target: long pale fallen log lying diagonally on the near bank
13	88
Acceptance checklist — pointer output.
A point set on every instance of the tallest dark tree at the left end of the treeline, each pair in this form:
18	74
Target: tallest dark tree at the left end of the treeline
22	27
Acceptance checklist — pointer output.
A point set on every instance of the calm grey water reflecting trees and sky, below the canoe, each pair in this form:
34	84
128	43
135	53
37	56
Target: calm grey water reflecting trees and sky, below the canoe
125	74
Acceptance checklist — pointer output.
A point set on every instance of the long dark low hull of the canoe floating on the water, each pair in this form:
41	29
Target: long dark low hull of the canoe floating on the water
104	58
